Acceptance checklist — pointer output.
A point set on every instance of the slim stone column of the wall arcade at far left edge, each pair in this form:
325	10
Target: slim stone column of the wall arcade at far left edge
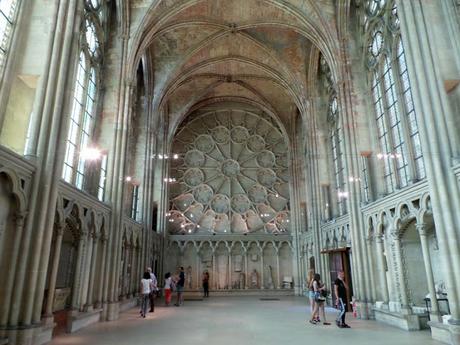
12	270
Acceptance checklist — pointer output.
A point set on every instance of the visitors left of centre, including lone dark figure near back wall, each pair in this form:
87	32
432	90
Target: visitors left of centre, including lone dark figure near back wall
149	289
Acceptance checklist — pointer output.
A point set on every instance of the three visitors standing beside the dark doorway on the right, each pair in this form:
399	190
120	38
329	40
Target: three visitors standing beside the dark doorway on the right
317	294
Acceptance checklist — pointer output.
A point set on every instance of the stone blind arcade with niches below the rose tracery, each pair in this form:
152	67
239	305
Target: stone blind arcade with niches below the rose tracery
232	265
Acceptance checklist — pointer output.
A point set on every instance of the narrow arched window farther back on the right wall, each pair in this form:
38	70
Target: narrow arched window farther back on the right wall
336	139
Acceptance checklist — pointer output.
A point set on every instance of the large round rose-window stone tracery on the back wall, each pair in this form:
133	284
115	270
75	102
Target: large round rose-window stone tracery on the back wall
231	176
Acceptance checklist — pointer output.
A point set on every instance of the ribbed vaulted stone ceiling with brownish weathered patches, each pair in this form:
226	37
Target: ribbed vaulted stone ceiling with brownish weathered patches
247	51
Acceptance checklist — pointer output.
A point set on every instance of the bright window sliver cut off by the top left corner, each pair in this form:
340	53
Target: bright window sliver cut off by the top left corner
8	10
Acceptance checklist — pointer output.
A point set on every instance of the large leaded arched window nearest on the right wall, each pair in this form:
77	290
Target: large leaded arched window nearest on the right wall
397	129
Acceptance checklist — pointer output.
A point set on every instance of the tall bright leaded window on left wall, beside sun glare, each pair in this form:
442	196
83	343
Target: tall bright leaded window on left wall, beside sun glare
84	103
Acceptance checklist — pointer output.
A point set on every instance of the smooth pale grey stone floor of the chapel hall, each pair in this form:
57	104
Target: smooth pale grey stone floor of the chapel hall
235	321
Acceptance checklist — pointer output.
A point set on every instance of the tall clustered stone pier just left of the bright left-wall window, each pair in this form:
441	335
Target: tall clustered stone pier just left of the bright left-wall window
49	152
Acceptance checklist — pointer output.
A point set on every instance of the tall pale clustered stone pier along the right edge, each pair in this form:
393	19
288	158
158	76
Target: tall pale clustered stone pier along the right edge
435	114
